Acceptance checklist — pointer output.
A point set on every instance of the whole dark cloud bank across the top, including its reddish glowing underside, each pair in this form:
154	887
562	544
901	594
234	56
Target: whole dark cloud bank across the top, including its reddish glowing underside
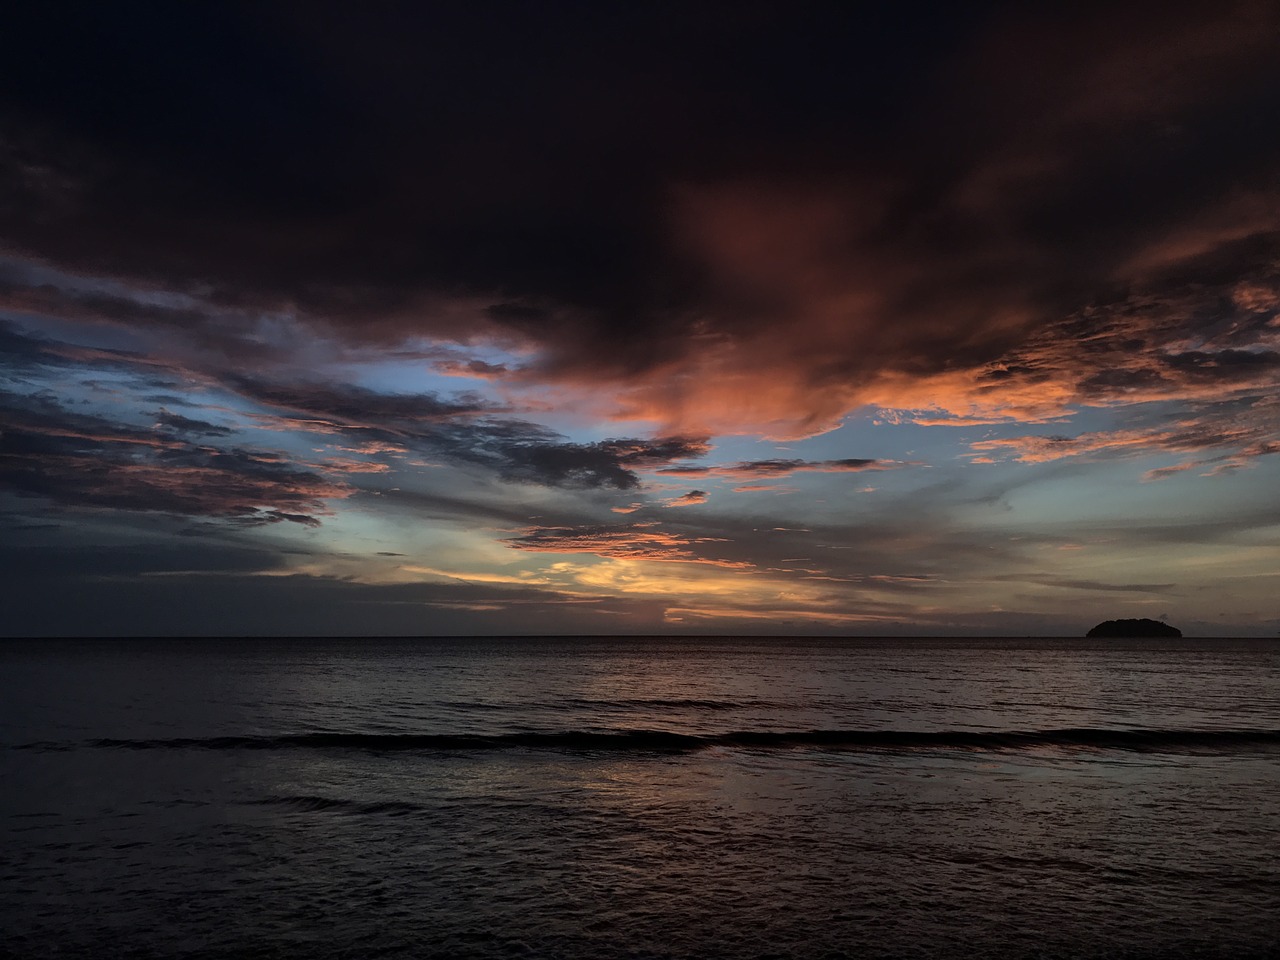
789	211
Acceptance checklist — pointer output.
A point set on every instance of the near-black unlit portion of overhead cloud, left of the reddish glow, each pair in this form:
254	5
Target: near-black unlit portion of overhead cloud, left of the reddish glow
482	118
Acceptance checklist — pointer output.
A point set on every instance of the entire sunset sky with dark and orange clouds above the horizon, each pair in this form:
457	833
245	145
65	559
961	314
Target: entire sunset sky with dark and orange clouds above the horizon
698	318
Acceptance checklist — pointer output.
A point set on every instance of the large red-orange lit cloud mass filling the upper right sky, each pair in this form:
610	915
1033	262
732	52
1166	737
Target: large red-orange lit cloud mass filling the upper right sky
990	295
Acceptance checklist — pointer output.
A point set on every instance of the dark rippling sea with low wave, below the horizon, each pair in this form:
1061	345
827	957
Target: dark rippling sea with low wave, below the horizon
641	798
